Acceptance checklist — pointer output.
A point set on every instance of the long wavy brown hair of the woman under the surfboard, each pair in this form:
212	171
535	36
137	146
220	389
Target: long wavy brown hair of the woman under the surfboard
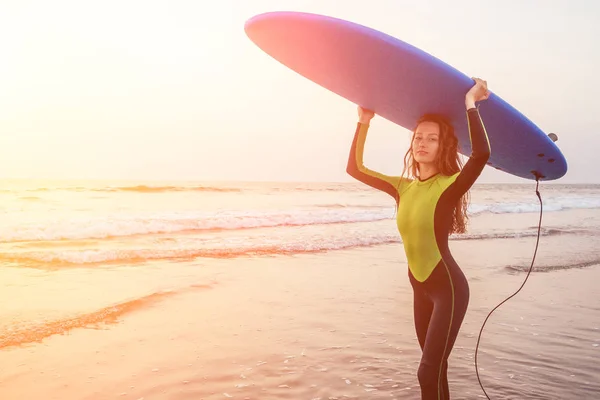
448	162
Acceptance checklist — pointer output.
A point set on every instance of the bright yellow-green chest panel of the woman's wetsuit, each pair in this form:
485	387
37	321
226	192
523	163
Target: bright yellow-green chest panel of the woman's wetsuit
416	223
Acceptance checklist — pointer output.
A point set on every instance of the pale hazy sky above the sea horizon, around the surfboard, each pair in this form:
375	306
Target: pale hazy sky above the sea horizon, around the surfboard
176	90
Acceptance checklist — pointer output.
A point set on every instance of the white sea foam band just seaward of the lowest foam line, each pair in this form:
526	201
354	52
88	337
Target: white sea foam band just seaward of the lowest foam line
120	225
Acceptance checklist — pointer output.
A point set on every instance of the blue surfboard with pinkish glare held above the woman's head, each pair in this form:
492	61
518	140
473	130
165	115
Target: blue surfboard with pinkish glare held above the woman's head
400	82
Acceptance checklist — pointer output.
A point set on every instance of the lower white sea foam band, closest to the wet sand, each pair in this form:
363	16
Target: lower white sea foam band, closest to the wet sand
228	246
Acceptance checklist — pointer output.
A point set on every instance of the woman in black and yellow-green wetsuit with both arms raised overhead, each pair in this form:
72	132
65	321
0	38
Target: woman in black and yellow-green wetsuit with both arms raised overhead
431	204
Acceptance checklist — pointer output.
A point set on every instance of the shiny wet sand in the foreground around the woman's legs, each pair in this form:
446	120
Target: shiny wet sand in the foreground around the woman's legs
331	326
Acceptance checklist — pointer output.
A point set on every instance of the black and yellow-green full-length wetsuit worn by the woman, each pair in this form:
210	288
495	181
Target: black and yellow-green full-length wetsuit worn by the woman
424	219
